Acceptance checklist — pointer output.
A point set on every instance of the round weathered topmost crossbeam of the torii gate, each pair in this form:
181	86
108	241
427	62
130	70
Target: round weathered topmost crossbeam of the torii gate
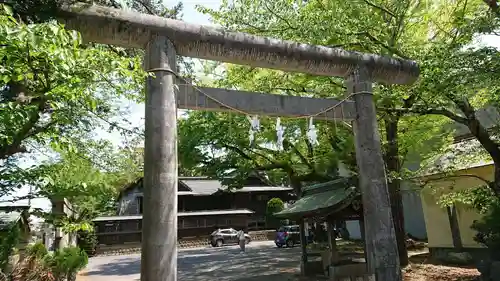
133	30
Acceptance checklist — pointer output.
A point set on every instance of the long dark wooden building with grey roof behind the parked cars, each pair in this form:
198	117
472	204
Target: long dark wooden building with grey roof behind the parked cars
203	205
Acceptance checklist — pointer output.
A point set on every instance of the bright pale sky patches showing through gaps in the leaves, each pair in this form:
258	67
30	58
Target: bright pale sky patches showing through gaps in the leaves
136	114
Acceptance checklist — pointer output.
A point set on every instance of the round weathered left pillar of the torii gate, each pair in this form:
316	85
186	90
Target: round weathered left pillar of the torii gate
159	225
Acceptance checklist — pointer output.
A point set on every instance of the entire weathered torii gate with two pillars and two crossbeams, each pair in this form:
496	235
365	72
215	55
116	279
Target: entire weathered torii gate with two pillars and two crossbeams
164	38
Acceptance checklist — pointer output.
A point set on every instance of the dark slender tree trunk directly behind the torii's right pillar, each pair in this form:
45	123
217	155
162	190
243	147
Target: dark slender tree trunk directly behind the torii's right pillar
394	184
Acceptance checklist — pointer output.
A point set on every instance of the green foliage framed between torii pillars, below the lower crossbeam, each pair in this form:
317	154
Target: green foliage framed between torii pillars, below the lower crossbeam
217	144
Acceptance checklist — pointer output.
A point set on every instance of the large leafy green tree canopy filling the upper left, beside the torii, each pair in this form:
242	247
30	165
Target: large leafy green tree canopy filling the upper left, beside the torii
53	92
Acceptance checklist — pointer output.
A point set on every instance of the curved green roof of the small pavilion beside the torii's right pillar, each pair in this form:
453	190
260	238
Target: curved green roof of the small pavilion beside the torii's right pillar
321	199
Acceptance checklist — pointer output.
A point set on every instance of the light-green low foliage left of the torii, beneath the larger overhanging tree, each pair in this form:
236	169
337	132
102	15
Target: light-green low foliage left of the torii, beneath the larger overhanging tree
91	190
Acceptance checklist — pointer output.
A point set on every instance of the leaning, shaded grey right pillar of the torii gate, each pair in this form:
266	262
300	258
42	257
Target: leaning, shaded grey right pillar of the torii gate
381	248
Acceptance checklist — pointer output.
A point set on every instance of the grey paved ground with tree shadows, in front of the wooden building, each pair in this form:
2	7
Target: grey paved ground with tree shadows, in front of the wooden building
222	264
